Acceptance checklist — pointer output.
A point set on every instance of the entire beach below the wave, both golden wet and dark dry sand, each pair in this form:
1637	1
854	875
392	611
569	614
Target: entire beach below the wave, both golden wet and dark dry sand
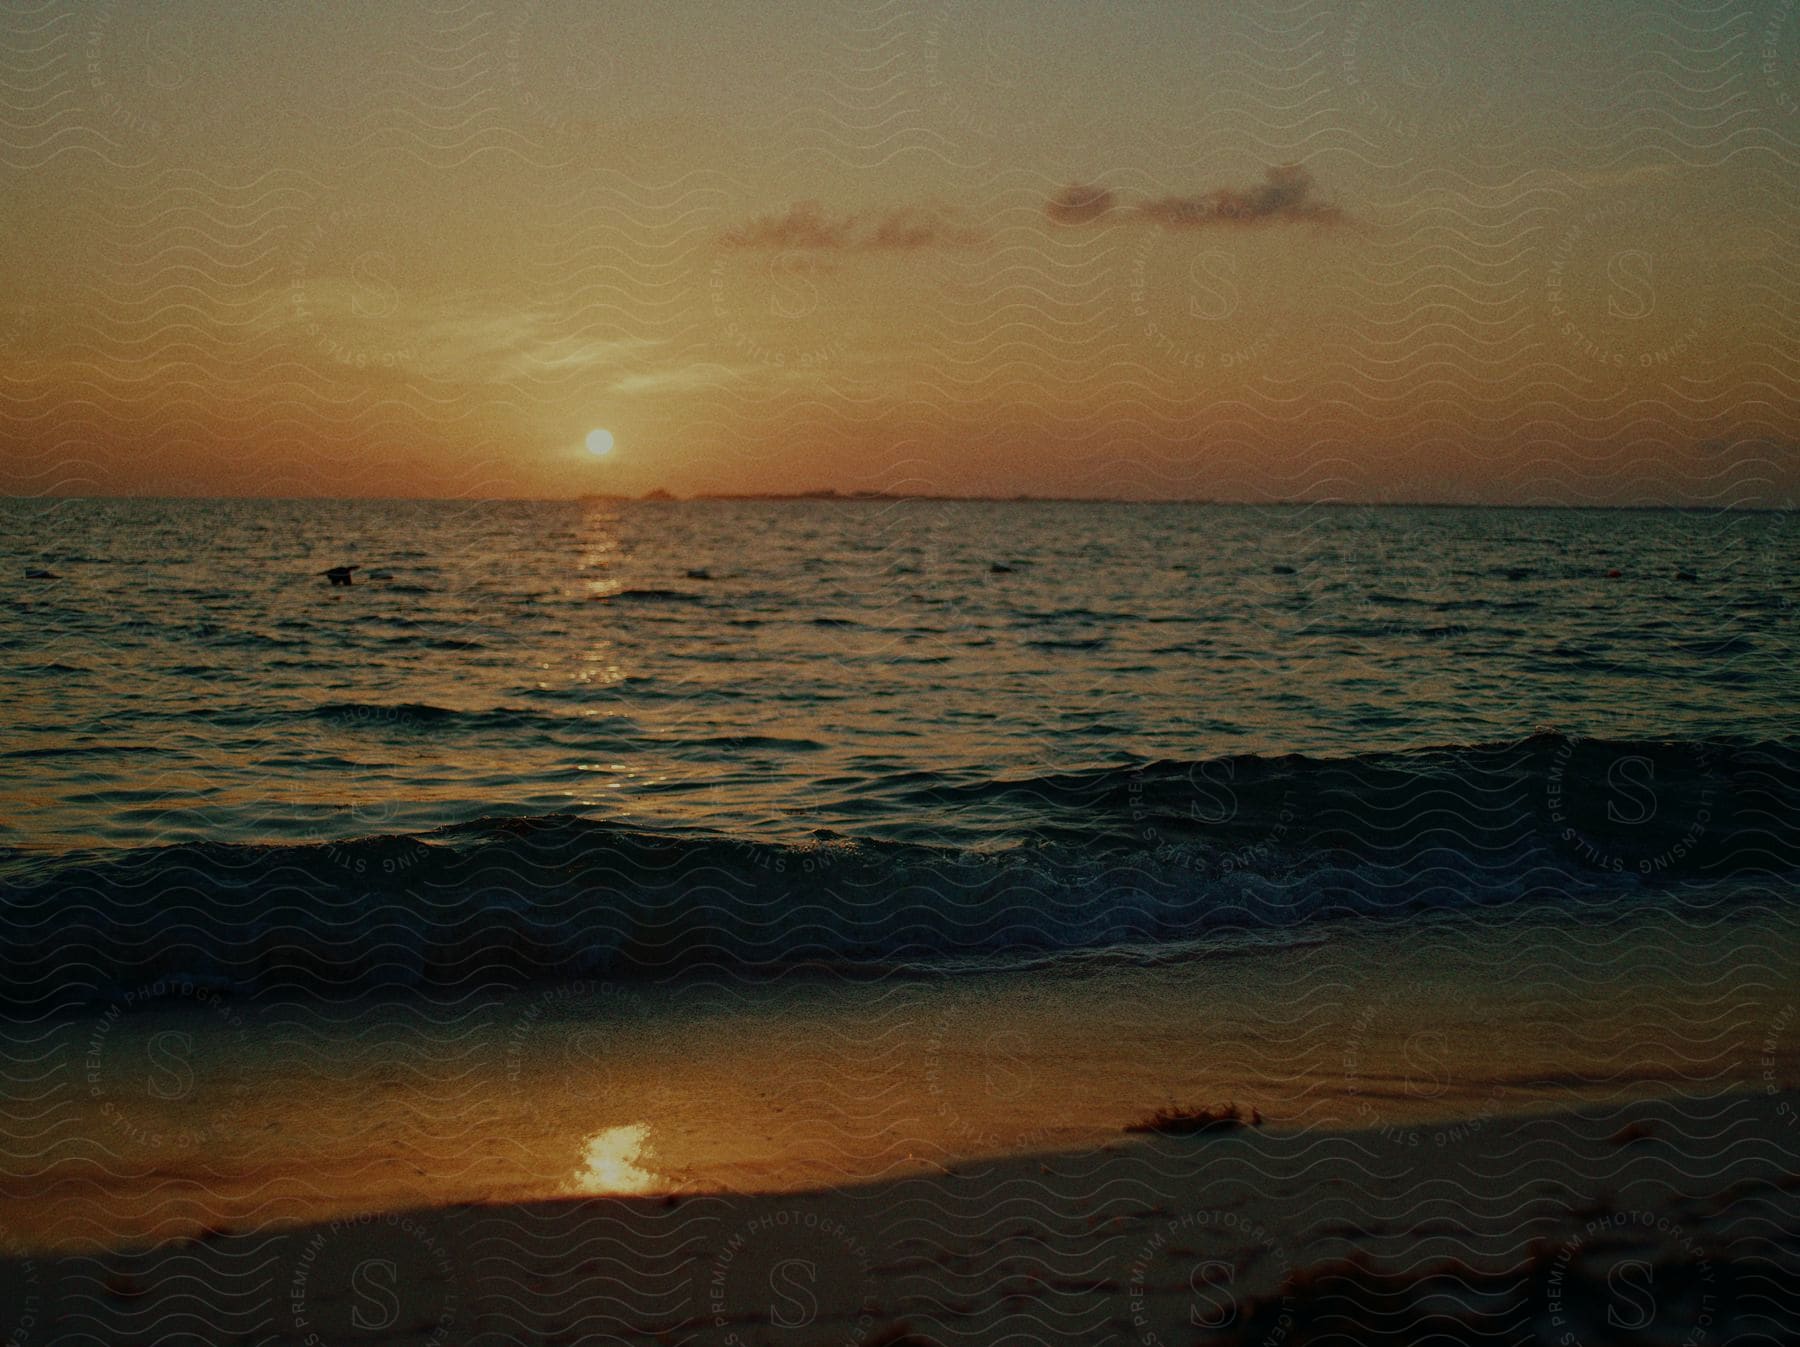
1525	1130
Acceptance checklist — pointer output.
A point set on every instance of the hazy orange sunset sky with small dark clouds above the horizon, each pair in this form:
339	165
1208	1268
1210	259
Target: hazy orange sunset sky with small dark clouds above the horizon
1407	251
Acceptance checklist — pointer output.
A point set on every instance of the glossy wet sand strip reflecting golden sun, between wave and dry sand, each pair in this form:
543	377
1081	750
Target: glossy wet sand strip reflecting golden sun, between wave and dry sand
199	1114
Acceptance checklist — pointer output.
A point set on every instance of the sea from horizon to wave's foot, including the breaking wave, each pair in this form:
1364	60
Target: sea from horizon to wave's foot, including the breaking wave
613	741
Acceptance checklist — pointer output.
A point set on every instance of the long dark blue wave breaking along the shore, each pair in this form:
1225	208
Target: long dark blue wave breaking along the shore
1131	856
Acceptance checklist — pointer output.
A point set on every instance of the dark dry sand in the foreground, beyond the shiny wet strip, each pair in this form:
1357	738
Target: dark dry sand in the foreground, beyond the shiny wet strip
1653	1222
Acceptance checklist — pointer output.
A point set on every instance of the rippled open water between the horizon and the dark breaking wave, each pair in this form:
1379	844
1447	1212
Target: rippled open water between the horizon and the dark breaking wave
868	669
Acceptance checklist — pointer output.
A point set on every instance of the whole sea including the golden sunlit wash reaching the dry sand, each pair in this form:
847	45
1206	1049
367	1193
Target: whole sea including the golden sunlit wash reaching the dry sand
775	847
